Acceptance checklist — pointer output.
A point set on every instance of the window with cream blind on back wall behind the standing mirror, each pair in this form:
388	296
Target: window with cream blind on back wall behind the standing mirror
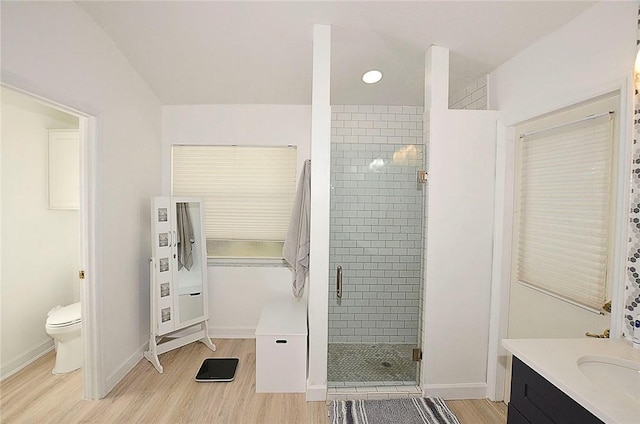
248	192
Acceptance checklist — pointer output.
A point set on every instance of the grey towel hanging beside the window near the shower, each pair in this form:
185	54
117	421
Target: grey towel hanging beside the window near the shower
296	246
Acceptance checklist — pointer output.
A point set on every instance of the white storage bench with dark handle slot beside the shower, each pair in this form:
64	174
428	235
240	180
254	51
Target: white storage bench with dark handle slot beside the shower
281	347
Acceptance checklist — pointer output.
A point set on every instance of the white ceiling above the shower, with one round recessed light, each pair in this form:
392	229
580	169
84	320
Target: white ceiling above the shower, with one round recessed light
239	52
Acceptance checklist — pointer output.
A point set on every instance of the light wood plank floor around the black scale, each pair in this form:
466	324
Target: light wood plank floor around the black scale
34	395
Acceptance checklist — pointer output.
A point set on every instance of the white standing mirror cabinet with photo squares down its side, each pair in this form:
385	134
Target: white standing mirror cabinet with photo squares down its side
178	274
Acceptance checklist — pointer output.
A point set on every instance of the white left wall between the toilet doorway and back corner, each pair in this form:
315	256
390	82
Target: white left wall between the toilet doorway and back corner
53	49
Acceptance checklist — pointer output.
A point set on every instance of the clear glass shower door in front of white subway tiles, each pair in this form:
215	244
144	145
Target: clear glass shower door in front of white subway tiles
376	237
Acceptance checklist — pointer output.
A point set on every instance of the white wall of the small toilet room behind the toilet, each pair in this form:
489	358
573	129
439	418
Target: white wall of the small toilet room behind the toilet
41	255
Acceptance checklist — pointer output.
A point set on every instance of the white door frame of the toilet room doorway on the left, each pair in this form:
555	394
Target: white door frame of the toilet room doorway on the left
92	375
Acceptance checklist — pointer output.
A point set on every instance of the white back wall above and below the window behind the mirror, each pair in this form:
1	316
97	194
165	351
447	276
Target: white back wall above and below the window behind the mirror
237	293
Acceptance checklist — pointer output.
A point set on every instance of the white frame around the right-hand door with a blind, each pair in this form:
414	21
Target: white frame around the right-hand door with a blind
503	228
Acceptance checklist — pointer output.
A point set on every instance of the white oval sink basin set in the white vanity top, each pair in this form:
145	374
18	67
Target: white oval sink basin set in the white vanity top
612	374
